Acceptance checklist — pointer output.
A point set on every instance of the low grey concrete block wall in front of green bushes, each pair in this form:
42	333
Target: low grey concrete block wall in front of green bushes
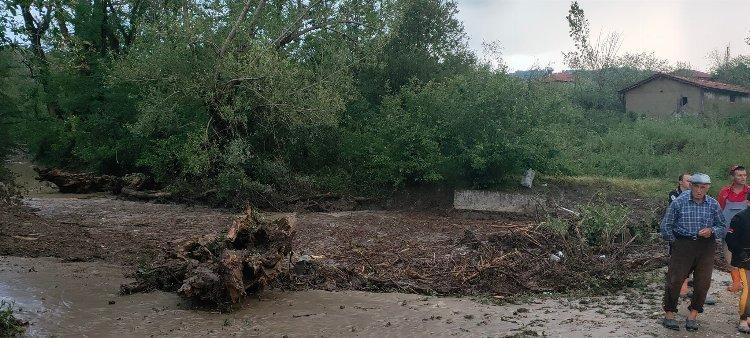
481	200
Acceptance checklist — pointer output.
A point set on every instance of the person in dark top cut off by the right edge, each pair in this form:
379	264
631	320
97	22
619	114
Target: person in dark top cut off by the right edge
738	242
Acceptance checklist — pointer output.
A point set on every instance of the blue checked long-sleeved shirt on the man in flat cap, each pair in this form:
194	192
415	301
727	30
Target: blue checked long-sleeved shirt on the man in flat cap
685	218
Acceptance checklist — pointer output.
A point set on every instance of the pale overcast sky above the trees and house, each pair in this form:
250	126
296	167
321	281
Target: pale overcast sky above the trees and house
536	31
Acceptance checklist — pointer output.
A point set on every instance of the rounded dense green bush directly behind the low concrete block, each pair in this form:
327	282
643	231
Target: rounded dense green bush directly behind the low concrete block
473	129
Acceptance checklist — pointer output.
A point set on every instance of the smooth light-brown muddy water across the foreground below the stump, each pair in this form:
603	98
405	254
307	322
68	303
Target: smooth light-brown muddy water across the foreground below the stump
80	299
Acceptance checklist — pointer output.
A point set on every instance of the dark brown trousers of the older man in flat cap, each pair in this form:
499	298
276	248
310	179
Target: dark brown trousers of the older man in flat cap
696	256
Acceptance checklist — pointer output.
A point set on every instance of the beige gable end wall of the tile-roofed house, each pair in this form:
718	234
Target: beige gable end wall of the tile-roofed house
661	97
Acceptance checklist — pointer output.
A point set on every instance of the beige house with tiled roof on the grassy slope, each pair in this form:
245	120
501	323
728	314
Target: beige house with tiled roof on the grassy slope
665	94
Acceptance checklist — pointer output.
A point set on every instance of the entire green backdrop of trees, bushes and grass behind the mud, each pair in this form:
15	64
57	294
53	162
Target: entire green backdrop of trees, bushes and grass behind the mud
271	101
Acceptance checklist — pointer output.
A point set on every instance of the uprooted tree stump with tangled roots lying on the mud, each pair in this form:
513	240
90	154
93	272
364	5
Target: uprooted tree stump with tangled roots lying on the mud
218	270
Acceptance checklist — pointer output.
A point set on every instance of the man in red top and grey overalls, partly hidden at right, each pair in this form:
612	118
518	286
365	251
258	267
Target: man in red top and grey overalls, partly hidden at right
733	199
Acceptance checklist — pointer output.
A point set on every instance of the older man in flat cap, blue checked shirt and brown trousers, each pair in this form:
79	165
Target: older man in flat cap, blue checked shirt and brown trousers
692	224
